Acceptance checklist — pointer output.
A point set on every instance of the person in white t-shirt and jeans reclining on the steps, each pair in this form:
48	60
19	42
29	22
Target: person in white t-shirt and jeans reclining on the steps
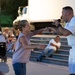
52	47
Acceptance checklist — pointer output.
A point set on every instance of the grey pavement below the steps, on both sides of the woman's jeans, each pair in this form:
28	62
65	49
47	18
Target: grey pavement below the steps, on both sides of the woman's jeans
35	68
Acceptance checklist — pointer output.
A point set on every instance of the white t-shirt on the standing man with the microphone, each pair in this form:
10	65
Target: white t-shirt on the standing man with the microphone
71	27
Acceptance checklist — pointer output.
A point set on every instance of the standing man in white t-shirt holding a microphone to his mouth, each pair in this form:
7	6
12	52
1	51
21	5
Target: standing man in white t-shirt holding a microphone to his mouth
69	31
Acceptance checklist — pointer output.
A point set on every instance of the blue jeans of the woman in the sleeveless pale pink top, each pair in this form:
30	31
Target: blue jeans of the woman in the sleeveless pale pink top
19	68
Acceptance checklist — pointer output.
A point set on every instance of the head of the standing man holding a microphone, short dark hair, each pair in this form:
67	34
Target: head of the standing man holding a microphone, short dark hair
67	13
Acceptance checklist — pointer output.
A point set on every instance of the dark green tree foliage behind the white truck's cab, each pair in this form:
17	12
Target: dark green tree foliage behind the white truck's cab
10	7
